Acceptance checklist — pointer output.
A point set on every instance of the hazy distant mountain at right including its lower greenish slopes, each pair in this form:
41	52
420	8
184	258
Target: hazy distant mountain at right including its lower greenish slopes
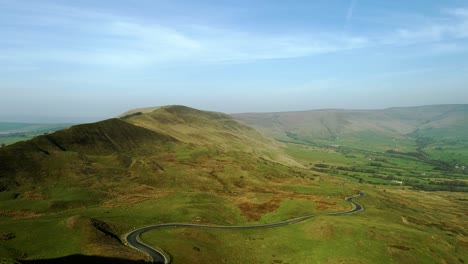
408	129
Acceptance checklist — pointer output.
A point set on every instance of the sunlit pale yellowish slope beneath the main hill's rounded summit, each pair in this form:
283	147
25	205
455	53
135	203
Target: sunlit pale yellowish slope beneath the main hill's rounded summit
209	129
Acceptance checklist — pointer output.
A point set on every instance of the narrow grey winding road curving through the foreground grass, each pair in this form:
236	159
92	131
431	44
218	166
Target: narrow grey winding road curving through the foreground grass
158	256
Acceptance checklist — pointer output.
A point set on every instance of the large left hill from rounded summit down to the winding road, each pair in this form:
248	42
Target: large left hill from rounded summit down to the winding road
80	173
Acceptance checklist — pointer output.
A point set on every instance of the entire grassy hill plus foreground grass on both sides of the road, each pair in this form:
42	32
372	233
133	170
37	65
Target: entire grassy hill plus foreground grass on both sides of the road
72	194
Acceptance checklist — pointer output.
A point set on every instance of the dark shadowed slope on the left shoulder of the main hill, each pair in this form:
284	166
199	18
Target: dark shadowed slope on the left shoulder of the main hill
69	154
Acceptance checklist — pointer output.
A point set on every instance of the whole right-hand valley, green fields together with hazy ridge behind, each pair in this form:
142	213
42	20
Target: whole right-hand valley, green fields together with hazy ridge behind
422	148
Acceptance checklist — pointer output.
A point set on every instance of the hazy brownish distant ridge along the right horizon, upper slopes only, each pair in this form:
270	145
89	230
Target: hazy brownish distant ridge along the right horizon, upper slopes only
332	123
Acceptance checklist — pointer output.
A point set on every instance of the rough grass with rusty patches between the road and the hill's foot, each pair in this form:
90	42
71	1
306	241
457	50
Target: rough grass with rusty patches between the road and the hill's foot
68	229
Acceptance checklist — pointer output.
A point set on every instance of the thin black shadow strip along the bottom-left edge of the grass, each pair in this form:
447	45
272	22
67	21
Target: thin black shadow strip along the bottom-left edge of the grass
83	259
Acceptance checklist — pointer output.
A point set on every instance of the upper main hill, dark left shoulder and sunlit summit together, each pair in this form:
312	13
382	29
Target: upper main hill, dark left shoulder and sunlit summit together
137	145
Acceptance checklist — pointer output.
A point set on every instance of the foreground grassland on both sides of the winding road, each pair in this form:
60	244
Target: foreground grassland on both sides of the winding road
403	230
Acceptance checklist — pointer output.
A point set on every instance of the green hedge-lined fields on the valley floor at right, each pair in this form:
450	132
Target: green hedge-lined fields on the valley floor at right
418	161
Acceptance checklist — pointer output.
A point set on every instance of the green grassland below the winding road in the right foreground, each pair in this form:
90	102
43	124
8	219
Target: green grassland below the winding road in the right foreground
389	231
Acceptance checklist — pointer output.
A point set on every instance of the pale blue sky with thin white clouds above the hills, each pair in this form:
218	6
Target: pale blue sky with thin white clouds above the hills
86	60
